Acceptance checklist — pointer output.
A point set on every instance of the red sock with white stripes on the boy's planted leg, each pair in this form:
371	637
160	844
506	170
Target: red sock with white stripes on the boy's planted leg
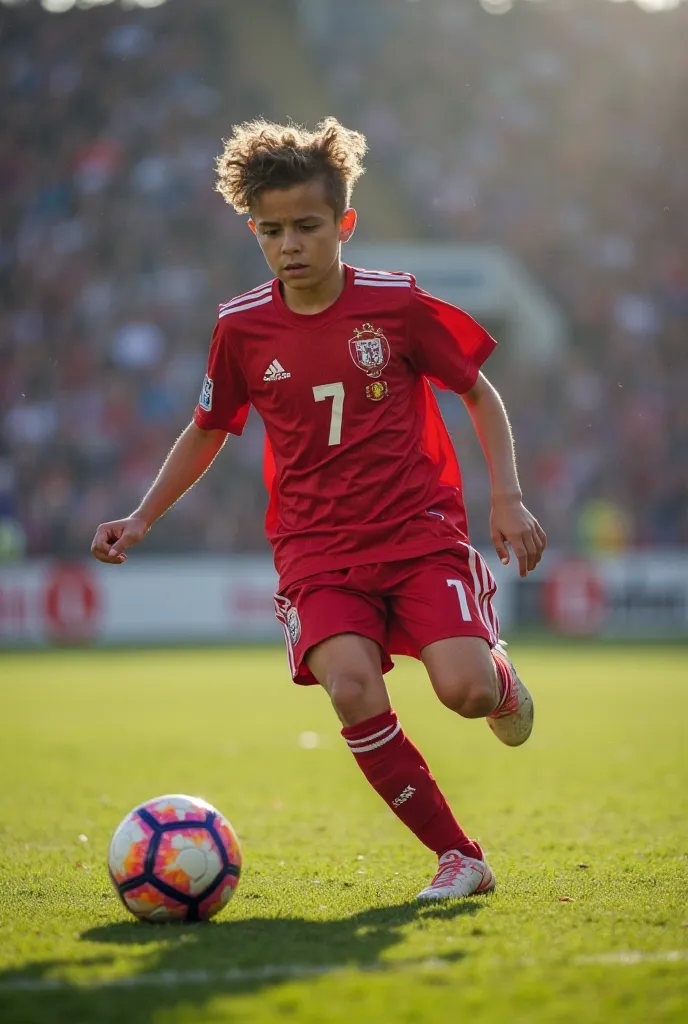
398	772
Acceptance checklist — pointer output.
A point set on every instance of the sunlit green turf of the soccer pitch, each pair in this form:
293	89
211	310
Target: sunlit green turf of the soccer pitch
592	809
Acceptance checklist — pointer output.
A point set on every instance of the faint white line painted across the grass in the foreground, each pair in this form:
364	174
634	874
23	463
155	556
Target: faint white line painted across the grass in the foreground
165	979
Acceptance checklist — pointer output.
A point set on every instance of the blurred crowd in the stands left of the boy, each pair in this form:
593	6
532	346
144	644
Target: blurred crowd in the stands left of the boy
114	254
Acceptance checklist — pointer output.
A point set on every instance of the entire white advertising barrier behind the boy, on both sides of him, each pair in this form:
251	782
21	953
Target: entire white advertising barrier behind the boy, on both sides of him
202	600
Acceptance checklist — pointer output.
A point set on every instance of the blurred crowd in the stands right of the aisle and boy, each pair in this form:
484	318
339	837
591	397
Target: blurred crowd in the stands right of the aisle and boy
560	130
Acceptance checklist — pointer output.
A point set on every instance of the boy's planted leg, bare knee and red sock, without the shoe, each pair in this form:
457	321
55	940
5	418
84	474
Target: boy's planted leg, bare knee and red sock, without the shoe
349	667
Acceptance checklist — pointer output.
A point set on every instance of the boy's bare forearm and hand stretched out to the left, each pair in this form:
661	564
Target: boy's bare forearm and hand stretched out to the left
193	453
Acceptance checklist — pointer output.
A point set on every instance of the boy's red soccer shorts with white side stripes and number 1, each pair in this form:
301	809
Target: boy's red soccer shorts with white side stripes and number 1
404	607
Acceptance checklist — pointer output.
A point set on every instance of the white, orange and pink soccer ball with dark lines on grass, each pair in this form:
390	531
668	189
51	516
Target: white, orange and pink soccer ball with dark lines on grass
175	859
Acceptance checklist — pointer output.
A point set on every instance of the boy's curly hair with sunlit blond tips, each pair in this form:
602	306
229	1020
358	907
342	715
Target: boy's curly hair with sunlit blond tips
264	155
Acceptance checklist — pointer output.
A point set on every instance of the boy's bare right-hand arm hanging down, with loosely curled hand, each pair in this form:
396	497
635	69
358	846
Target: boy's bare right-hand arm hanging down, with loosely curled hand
510	522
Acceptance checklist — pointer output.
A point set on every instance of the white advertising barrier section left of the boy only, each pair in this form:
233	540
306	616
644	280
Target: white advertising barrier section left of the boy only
152	601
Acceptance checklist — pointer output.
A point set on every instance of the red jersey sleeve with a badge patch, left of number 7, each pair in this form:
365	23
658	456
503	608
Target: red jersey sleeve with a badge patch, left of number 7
225	403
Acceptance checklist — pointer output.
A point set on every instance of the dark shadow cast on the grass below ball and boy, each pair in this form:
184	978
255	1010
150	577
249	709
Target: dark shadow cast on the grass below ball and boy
189	965
